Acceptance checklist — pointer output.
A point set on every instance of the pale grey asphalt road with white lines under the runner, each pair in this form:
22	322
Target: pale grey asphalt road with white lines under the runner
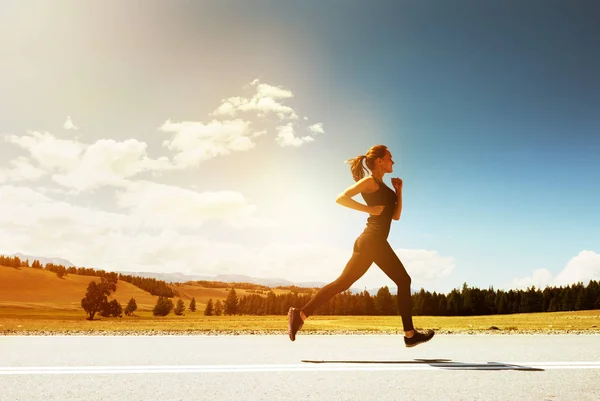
369	367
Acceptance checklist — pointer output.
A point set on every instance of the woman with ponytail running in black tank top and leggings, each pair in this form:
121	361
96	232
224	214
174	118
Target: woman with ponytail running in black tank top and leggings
383	205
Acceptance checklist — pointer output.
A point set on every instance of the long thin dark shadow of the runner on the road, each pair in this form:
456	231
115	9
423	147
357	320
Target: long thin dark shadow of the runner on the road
444	364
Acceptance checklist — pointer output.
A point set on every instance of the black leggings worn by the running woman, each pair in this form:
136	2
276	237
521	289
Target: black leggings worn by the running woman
369	248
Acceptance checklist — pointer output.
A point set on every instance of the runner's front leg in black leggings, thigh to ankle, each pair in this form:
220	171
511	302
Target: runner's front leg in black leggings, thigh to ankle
388	261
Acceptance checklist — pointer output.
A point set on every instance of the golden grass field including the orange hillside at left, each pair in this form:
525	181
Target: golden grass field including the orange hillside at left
37	301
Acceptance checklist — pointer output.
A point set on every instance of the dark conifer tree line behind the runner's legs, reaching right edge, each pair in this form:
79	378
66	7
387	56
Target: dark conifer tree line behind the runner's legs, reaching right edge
464	302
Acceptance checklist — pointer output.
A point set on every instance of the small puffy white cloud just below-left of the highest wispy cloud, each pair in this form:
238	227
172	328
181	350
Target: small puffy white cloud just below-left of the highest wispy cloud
196	142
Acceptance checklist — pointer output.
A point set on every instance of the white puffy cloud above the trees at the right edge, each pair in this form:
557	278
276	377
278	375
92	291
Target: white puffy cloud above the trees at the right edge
581	268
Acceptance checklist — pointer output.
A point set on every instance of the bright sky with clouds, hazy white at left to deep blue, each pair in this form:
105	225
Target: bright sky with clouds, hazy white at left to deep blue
210	137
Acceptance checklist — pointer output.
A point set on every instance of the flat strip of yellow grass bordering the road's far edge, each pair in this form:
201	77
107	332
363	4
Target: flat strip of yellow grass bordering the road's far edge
49	321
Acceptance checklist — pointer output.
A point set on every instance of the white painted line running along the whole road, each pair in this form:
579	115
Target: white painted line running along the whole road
304	367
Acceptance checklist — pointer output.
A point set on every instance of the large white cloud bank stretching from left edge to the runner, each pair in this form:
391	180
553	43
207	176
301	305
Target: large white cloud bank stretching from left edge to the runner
36	224
